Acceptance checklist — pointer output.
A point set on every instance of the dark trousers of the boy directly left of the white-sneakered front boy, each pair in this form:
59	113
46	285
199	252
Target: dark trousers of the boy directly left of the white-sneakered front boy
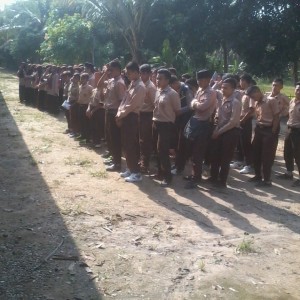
113	136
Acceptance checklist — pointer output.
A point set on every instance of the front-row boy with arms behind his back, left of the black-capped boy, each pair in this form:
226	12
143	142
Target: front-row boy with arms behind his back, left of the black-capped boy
167	106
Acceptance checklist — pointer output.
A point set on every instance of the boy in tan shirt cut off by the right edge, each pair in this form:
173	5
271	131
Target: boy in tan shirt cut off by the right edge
292	139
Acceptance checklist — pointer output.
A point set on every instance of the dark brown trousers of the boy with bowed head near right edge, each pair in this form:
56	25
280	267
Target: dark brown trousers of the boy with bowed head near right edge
264	149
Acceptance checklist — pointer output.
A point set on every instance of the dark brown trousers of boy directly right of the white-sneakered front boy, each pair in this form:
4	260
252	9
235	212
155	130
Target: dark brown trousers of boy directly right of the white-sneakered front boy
146	140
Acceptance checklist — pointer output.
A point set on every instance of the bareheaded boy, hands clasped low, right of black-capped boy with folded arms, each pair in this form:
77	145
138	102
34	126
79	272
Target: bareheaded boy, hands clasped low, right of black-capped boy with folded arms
226	133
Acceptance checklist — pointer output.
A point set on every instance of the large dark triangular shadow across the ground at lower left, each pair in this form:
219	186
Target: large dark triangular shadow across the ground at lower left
32	229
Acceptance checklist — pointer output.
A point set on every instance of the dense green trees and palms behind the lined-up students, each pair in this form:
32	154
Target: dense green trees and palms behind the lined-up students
261	37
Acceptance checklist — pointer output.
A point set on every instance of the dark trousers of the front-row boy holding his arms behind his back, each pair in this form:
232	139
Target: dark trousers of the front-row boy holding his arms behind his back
162	135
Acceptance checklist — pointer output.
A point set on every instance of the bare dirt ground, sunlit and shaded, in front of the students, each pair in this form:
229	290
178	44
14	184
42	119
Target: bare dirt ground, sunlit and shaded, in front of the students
70	230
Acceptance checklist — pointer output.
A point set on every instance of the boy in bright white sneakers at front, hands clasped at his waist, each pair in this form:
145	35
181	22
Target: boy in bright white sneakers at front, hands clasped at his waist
128	119
